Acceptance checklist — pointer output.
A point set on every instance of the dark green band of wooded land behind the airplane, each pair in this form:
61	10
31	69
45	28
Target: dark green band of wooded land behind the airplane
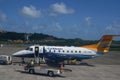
43	39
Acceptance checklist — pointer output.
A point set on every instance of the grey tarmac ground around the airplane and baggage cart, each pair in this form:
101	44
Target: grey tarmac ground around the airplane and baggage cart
105	67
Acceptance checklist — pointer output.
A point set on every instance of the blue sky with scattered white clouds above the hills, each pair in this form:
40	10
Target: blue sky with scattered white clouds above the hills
86	19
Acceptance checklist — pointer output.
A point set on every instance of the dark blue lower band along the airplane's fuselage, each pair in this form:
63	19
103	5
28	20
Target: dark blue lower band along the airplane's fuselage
57	56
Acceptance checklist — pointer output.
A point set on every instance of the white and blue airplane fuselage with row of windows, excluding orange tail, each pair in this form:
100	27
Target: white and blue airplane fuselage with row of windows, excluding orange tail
58	52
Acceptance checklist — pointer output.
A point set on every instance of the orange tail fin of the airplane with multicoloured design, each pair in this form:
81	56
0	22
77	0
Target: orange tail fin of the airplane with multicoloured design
103	44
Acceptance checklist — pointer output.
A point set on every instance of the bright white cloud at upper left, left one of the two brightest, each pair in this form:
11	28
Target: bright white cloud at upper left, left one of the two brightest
31	11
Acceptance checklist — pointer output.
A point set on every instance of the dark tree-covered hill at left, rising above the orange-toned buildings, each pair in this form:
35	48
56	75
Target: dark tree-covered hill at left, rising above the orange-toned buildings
5	36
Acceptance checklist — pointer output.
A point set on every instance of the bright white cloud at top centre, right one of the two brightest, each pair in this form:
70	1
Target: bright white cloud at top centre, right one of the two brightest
61	8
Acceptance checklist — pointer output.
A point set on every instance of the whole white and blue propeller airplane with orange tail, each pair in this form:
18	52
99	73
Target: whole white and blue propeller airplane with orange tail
57	54
